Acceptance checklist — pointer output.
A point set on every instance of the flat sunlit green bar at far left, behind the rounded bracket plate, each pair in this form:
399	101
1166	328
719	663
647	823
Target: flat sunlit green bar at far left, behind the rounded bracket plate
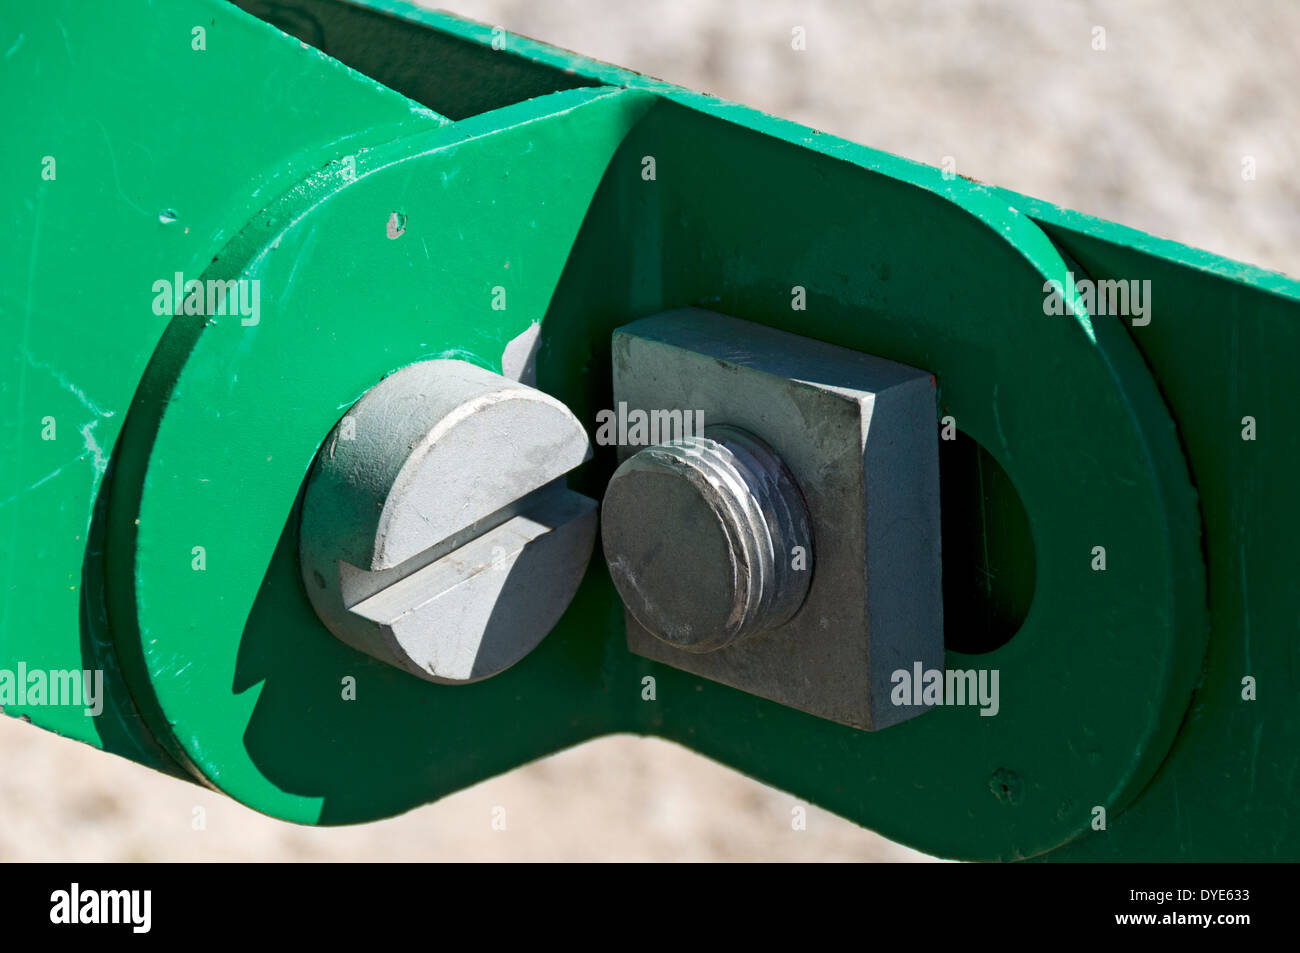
154	172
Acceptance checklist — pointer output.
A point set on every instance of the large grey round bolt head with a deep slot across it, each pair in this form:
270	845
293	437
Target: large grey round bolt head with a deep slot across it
437	531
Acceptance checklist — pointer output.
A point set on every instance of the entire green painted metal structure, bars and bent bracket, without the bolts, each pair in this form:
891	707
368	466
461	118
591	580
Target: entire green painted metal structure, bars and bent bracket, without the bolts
405	187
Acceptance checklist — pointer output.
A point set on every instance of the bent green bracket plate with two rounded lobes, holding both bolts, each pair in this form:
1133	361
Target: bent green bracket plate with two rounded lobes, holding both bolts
248	692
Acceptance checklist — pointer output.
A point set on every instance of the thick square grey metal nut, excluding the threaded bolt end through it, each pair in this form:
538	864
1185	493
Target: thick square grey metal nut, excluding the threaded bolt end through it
860	439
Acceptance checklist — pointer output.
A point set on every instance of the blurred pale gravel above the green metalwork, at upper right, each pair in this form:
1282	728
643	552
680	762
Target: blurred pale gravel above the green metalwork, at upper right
1150	132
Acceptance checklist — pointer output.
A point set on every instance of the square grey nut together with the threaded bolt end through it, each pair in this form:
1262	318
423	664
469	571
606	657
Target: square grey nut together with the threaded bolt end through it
690	529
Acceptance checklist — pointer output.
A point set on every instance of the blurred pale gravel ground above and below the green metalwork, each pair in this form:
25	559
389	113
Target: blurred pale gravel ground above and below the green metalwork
1150	132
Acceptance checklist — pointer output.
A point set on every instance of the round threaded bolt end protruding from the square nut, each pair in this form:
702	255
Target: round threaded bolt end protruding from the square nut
708	539
